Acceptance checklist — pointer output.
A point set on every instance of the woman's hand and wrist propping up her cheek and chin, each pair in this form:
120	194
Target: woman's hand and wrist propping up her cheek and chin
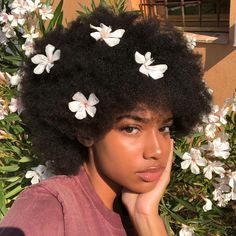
143	208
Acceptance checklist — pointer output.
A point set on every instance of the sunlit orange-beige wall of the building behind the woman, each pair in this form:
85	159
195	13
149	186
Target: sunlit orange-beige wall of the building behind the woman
219	61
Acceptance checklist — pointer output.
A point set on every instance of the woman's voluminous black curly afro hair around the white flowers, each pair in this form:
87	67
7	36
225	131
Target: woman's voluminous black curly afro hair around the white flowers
91	66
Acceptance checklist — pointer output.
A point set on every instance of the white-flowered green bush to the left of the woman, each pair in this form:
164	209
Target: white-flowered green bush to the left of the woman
21	22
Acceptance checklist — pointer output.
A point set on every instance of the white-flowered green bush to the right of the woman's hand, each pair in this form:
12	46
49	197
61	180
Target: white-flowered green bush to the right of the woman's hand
201	196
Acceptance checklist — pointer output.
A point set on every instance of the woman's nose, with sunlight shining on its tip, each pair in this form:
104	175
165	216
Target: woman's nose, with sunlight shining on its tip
152	148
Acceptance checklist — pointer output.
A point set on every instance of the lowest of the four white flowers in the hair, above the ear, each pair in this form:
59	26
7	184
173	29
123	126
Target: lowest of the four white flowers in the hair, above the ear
82	106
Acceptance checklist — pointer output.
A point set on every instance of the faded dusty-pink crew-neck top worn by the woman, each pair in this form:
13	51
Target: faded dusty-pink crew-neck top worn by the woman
63	205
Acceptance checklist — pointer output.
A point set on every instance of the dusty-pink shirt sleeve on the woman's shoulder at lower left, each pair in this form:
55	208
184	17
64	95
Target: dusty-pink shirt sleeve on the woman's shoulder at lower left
36	212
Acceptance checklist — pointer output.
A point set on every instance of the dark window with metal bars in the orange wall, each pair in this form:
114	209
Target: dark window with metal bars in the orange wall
192	16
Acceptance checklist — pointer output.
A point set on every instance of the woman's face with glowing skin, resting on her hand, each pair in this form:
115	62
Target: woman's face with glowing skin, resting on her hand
134	153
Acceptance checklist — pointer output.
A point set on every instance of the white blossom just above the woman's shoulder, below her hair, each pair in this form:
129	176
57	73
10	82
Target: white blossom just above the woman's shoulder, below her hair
38	173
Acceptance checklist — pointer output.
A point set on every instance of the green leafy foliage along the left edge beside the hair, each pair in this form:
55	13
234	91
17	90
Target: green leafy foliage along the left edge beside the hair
15	145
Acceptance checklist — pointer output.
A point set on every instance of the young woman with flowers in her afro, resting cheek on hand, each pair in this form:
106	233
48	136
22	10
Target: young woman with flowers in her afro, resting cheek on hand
101	99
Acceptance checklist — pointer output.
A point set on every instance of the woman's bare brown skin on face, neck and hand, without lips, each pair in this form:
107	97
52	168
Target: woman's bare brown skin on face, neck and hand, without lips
138	141
